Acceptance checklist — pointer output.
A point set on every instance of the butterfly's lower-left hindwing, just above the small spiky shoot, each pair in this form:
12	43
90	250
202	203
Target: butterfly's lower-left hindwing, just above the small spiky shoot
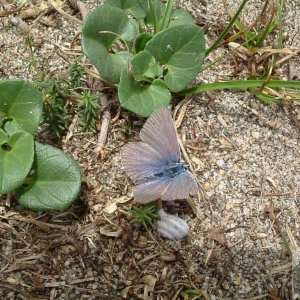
151	190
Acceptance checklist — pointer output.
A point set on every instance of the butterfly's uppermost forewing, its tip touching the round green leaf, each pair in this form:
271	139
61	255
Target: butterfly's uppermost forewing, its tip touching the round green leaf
160	133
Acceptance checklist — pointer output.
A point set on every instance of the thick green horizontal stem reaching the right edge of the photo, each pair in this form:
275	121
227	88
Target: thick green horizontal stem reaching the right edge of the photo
240	85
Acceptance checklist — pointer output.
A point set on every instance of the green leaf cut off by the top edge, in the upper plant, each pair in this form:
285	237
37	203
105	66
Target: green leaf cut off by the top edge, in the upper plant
138	8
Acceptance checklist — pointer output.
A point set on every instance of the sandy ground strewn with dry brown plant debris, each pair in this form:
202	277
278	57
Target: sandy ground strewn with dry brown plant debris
244	153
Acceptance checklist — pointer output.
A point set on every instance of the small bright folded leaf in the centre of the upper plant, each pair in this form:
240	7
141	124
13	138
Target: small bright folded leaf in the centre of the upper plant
144	66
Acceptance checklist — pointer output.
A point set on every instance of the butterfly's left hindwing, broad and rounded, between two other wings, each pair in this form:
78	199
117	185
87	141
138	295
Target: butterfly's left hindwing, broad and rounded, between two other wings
140	160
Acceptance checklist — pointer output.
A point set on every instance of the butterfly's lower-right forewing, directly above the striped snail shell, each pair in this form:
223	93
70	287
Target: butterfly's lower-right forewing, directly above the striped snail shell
181	186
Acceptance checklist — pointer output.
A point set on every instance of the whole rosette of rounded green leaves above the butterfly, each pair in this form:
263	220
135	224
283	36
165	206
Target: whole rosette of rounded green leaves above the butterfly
146	48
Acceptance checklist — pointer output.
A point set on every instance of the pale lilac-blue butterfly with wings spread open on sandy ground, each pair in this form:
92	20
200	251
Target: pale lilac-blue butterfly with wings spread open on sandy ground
154	163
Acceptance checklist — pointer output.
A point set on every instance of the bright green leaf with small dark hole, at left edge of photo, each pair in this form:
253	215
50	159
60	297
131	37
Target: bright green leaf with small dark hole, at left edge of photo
16	157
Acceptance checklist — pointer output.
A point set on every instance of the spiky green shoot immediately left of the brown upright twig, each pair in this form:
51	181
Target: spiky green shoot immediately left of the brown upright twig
88	110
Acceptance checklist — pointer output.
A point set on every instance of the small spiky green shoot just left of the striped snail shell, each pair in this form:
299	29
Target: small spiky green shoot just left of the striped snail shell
145	215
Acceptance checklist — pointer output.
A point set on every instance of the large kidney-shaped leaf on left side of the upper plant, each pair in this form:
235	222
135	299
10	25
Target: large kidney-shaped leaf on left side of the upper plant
102	27
